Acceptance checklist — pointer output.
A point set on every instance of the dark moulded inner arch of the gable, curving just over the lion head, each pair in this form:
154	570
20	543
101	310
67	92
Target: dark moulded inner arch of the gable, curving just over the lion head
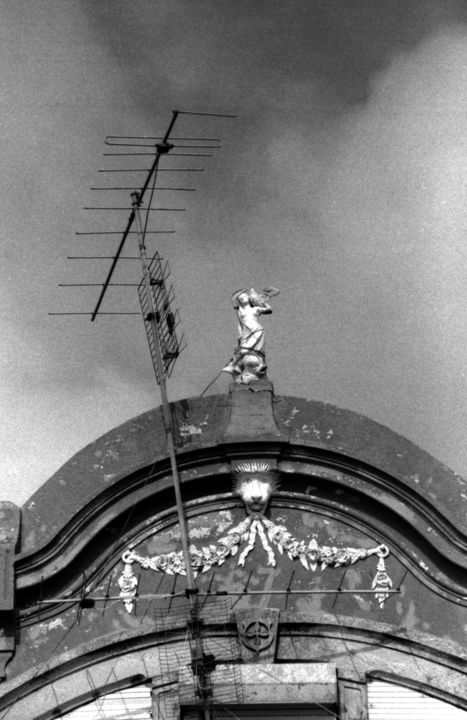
334	483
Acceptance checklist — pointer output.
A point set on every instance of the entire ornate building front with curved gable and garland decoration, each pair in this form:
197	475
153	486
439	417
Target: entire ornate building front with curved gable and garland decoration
330	562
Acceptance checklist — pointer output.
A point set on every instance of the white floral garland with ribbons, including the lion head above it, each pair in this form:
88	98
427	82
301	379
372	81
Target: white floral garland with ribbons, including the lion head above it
255	482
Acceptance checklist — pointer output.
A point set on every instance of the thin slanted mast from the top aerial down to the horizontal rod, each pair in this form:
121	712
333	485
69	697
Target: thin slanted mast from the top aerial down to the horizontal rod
166	414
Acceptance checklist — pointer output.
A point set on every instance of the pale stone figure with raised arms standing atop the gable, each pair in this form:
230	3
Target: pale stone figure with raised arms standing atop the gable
249	362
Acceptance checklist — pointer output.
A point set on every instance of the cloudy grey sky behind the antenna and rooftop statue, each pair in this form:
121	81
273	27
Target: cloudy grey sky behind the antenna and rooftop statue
341	181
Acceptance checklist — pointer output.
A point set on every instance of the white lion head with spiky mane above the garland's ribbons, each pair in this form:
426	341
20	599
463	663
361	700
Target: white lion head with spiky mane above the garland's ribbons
255	482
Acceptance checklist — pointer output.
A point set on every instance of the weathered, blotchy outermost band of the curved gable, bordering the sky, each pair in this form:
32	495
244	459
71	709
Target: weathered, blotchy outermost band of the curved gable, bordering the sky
203	424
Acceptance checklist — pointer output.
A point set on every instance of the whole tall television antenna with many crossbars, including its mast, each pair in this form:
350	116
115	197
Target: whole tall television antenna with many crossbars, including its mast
156	301
